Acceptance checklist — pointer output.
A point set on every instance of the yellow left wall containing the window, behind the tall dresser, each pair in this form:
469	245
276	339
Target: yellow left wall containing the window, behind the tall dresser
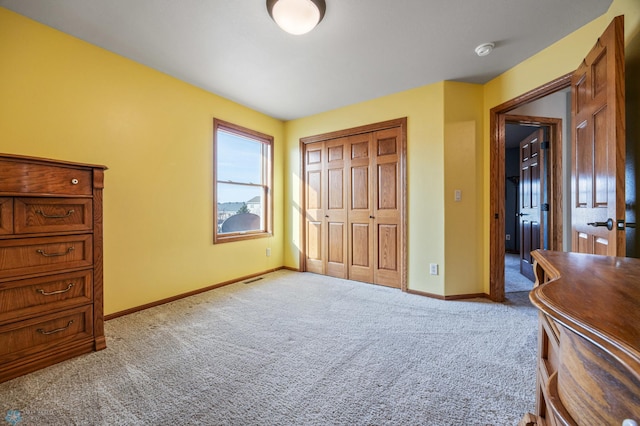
65	99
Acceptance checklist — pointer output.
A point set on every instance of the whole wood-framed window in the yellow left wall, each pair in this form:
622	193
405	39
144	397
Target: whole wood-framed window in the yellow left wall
242	183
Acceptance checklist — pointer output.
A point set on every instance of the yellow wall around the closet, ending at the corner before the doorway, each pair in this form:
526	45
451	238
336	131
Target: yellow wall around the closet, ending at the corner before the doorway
433	171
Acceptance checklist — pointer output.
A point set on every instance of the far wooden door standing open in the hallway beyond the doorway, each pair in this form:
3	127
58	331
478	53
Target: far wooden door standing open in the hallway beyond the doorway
531	174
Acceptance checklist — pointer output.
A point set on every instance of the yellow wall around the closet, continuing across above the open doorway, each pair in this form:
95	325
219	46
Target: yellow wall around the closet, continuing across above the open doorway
452	119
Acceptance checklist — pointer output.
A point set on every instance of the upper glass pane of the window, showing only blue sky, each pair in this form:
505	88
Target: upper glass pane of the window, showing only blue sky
239	159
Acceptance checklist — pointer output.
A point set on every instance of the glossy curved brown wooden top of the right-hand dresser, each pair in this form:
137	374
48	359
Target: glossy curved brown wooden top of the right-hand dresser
597	297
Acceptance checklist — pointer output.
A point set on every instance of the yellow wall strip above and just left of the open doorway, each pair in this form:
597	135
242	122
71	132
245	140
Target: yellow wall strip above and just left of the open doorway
558	59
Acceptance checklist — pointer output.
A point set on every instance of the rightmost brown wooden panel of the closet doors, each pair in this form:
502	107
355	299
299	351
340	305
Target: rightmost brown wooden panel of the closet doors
387	207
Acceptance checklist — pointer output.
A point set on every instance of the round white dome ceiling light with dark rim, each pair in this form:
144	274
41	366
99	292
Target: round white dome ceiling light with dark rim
296	16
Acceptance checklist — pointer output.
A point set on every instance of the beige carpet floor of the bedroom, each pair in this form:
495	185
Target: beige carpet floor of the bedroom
296	349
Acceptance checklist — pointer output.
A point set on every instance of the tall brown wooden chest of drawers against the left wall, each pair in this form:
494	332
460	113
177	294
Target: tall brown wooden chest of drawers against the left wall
50	262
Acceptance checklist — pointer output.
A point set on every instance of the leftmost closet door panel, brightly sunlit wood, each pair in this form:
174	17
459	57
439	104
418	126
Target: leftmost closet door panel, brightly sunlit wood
314	221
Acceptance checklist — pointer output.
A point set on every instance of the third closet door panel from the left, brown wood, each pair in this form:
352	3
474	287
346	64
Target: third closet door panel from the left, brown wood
360	215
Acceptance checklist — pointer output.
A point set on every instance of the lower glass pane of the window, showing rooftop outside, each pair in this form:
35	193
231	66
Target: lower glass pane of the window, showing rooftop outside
240	208
